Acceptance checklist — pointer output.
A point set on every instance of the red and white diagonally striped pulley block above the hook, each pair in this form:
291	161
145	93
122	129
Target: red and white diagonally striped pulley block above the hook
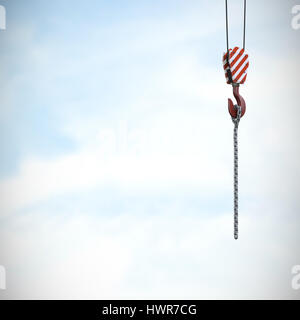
238	64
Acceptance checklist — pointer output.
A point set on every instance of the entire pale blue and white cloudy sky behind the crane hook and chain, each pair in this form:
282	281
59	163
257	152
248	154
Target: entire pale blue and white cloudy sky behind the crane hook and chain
116	162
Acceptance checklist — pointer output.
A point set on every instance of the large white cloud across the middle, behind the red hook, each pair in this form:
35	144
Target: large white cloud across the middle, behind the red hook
178	146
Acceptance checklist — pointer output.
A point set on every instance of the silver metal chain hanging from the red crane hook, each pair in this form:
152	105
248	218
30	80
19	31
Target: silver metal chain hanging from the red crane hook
236	122
